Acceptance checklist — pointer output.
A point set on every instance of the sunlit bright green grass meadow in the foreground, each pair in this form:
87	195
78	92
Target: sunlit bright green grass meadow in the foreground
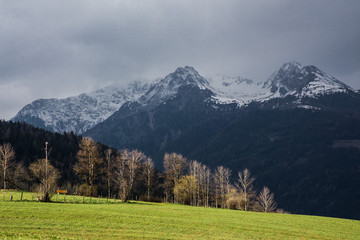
139	220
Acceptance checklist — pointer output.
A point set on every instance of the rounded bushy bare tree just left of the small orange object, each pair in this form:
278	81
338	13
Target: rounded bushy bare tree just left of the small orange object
47	177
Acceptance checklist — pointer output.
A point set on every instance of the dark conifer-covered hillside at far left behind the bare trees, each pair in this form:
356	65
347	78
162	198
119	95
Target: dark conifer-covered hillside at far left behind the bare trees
29	145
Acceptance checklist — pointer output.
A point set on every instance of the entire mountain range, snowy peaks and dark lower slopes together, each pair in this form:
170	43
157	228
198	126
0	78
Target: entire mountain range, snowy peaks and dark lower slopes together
298	131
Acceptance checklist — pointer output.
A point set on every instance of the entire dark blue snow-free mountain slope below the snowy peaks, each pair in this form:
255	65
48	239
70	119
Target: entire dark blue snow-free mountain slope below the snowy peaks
310	156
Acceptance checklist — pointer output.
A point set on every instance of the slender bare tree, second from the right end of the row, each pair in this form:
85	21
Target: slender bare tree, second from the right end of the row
245	186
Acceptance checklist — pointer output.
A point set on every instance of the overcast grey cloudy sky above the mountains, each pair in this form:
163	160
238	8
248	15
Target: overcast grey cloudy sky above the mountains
56	49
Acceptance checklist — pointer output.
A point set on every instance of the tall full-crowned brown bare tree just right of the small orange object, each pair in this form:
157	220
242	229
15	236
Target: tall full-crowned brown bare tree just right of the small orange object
88	165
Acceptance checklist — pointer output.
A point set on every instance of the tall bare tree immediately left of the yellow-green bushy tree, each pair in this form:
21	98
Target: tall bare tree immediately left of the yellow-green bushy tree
174	165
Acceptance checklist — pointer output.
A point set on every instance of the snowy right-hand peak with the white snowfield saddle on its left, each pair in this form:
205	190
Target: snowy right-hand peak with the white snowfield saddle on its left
291	79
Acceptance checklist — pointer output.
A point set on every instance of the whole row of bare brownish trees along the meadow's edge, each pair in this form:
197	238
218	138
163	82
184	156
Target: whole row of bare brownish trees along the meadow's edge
131	175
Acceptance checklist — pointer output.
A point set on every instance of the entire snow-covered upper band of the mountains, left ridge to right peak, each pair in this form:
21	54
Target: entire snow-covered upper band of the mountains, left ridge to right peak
81	113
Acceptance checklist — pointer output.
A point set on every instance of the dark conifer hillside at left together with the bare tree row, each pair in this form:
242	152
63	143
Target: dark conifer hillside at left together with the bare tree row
83	167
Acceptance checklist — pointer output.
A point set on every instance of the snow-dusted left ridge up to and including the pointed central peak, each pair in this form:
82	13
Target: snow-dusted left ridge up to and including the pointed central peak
80	113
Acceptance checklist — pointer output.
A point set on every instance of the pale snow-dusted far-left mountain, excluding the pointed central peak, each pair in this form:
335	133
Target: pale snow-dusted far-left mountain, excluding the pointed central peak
79	113
